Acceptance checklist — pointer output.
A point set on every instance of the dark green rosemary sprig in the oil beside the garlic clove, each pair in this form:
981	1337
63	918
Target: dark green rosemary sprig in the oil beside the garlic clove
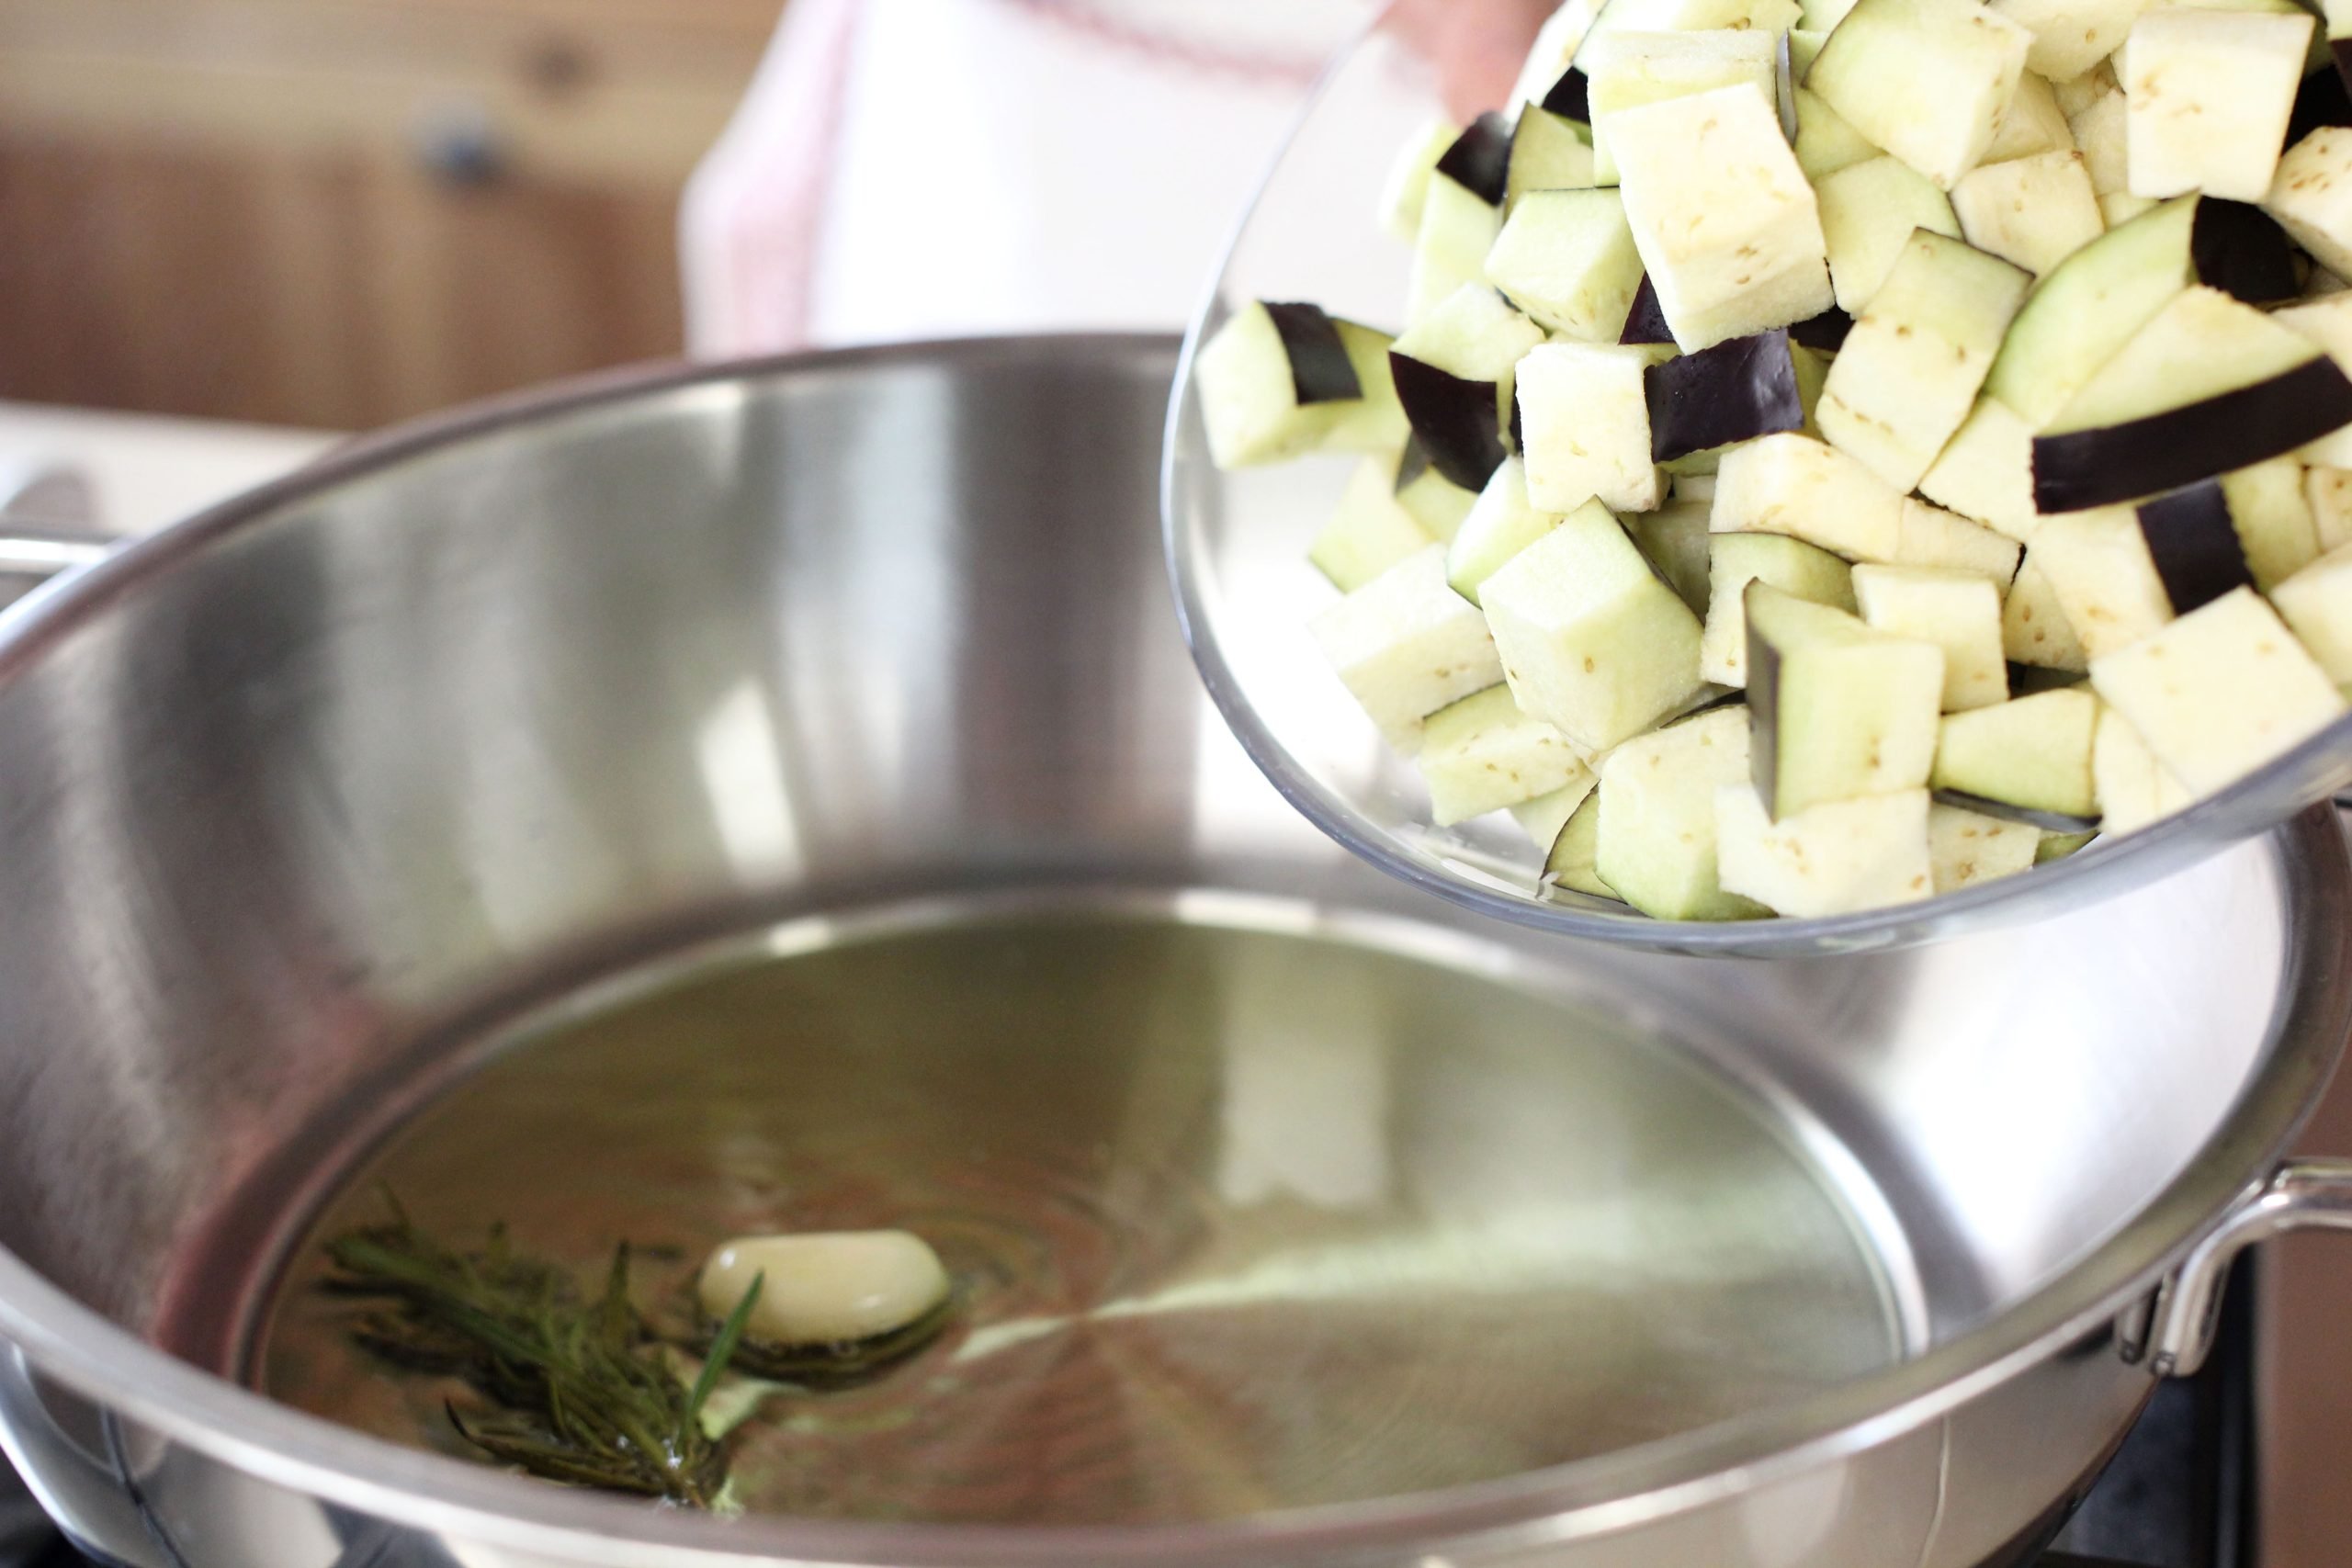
582	1388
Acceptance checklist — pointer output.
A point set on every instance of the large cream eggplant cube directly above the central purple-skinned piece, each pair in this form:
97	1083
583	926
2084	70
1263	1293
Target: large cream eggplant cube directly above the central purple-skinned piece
1723	215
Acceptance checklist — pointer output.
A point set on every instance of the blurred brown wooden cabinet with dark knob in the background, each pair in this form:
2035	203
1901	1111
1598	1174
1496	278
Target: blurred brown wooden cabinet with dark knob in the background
340	213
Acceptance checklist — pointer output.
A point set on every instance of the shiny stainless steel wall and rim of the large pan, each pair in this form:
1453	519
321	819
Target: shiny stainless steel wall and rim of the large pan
312	793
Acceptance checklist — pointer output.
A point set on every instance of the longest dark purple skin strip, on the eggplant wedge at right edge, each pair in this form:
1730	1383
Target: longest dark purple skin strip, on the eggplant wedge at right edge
2149	457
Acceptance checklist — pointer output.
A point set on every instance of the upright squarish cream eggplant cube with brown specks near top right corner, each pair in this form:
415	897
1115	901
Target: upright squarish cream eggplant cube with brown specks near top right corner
2210	100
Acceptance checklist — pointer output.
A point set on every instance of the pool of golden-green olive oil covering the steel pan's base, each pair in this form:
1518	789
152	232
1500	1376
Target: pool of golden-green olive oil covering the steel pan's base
1238	1219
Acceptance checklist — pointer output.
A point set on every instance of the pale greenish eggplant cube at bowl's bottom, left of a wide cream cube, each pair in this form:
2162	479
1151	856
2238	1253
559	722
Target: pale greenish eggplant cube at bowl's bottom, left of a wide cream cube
1655	843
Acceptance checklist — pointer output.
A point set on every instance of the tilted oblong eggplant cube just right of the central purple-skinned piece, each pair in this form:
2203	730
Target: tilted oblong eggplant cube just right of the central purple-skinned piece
1913	363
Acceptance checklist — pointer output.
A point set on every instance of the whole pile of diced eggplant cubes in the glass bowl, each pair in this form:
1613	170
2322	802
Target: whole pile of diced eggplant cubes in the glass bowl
1845	450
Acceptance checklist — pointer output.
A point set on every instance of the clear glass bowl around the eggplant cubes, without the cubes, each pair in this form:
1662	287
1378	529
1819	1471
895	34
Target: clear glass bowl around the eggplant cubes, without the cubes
1245	594
